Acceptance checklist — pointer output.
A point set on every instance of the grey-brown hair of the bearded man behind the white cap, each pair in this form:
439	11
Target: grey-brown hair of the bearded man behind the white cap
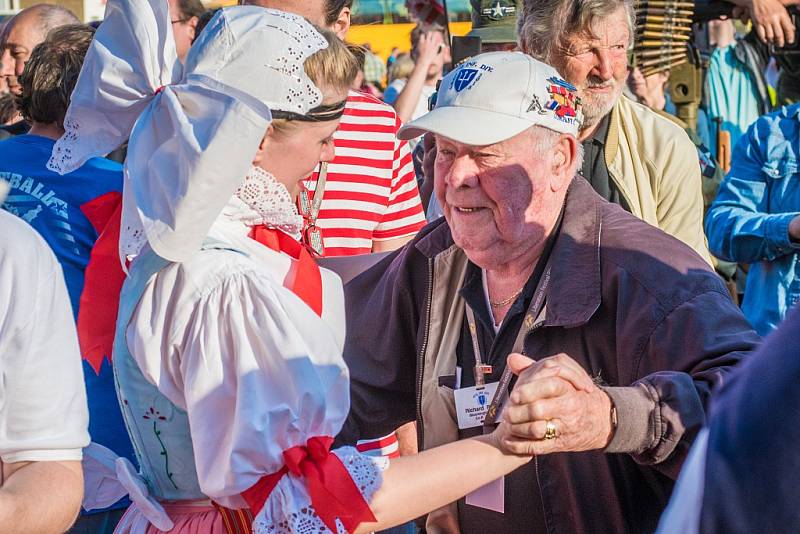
544	24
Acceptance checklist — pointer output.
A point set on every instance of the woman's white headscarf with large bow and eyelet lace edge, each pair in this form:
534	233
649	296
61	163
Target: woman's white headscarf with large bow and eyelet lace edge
193	131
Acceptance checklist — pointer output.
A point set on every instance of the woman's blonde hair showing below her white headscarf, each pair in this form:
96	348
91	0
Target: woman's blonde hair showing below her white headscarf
332	70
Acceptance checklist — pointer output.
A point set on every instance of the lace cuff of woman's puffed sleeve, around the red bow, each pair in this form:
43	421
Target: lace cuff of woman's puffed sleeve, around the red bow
289	511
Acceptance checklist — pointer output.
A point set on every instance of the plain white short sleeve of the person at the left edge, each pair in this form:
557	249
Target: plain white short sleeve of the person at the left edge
43	412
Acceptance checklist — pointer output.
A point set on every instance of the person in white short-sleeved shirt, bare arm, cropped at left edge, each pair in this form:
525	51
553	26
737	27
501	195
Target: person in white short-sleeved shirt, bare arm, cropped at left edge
43	414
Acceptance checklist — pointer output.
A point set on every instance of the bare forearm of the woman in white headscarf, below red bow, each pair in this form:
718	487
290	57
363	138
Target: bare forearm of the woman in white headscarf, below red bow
416	485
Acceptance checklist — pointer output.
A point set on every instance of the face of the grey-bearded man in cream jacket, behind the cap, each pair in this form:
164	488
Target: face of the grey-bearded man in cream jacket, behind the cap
597	65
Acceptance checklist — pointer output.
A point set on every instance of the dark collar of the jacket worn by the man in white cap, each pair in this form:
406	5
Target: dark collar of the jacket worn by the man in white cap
574	293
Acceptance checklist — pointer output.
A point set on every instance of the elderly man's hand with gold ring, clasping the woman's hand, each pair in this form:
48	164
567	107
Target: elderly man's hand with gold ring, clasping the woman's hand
559	391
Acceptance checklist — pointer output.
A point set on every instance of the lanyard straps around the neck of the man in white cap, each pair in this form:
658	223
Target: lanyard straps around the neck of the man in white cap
534	310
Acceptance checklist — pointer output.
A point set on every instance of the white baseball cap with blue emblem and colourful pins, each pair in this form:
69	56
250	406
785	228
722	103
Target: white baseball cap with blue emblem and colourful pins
495	96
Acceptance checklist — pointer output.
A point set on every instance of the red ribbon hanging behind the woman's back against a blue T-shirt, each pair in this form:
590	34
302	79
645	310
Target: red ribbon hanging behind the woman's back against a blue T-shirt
103	280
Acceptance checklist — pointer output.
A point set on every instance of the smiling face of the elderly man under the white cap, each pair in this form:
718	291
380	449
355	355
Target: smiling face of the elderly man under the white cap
497	199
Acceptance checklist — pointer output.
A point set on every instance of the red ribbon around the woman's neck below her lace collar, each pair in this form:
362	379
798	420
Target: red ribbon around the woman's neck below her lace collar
304	278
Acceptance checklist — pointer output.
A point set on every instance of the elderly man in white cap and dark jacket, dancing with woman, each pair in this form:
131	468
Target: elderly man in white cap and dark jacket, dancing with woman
629	327
